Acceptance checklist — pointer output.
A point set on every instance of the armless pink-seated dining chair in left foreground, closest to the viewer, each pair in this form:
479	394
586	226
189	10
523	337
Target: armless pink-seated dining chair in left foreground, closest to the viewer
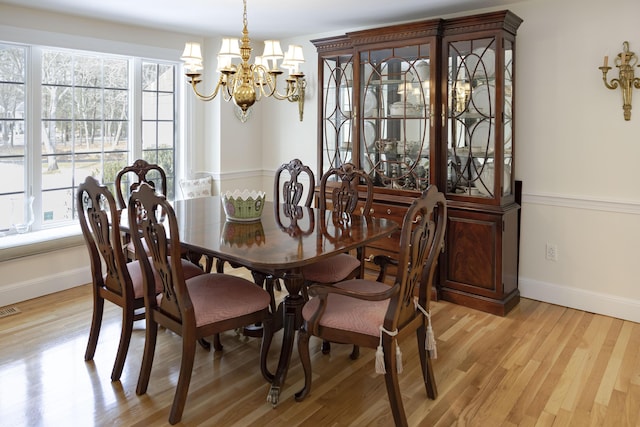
193	308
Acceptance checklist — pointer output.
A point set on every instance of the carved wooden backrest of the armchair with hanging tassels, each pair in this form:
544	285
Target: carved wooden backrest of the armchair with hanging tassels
421	240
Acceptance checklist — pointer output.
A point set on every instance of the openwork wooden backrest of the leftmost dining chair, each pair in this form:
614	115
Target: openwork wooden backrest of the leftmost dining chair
100	224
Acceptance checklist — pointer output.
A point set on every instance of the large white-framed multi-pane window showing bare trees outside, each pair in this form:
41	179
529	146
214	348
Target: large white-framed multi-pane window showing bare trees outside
81	122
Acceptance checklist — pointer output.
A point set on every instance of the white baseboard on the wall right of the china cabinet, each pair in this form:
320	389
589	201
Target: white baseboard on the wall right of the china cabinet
593	302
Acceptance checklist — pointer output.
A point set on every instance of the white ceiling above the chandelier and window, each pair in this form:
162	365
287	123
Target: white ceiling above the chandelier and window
266	19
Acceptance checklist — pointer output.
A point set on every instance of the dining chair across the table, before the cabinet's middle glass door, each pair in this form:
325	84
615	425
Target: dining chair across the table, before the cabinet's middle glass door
339	192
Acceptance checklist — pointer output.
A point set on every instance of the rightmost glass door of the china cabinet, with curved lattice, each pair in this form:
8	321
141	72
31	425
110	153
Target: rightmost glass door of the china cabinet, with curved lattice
479	118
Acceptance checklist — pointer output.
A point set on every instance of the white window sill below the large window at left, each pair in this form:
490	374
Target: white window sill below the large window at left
20	245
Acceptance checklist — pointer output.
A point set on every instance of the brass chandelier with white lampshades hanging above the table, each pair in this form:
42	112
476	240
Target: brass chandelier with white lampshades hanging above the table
246	83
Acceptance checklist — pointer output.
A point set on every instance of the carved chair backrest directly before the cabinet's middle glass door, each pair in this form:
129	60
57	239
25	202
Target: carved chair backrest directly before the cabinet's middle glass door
345	197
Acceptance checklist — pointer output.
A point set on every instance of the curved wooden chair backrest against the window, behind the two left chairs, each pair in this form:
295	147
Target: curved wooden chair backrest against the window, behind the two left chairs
150	173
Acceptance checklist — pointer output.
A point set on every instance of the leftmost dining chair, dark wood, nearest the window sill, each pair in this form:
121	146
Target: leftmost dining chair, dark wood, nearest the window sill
113	278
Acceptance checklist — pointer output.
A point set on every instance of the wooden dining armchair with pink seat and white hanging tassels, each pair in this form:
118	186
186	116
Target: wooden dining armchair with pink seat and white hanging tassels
373	314
